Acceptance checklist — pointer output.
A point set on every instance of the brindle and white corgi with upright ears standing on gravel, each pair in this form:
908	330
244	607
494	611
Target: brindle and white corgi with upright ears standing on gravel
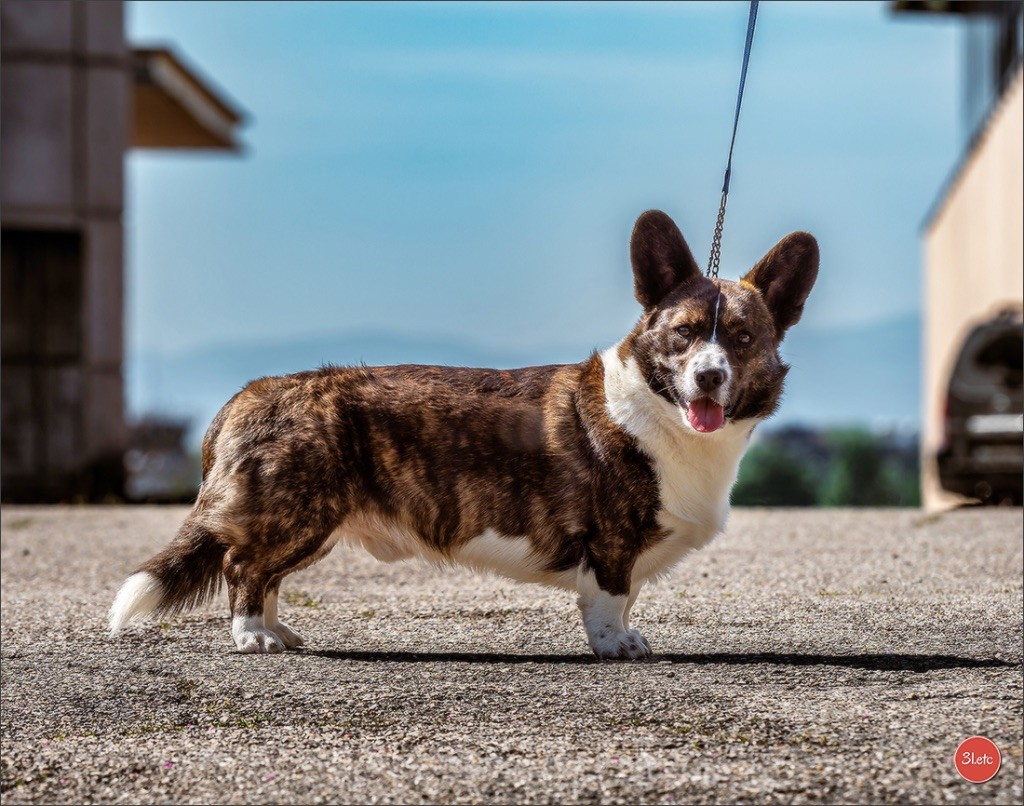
593	477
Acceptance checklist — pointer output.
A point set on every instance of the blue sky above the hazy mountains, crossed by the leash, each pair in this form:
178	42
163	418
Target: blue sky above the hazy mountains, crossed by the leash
474	172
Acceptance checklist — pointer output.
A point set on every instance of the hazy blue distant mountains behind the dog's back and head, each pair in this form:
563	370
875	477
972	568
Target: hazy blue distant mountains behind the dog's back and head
864	374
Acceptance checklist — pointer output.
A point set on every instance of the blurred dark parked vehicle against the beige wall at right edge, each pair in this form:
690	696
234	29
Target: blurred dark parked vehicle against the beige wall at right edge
984	454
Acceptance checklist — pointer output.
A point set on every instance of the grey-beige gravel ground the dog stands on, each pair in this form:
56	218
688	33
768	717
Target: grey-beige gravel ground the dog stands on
807	657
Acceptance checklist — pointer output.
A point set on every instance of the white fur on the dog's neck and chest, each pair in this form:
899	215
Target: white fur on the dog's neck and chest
696	472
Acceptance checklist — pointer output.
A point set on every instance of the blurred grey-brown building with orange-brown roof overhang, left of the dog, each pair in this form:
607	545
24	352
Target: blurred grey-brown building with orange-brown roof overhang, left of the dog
75	98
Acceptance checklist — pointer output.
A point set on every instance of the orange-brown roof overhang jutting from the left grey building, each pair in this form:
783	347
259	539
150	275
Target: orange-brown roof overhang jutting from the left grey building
176	108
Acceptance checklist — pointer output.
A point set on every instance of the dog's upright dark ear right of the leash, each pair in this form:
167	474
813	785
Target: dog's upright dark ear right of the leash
785	277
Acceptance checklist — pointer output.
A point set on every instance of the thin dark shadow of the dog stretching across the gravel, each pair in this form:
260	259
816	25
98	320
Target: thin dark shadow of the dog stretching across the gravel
874	662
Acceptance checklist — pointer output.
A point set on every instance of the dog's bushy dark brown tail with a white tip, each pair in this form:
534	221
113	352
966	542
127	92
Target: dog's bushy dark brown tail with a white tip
185	575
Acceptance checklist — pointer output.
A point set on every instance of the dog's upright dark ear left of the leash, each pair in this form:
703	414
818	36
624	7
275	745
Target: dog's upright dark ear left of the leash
661	259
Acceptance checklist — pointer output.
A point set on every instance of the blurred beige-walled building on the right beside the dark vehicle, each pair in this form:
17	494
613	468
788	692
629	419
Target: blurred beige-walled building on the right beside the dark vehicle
974	235
